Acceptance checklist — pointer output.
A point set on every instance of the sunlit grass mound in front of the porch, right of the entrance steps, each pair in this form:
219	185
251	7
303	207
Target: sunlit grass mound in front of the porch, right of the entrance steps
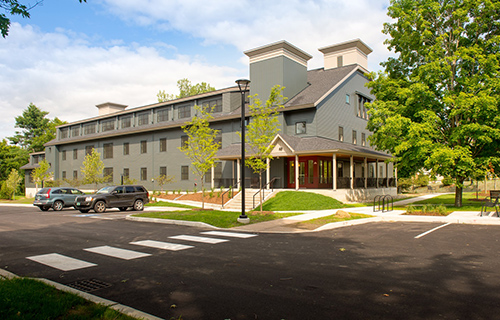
299	200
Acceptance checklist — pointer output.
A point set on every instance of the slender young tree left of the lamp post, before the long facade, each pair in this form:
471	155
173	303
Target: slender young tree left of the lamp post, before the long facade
201	146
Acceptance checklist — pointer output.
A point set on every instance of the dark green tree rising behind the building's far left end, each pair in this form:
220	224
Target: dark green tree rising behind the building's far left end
36	129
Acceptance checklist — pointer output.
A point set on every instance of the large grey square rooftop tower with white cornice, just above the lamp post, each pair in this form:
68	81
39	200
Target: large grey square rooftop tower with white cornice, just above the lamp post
277	63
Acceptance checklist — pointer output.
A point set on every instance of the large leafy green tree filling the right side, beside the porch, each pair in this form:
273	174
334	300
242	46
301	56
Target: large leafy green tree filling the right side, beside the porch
438	100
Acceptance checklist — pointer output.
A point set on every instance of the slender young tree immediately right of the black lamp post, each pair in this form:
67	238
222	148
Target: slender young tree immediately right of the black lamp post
262	129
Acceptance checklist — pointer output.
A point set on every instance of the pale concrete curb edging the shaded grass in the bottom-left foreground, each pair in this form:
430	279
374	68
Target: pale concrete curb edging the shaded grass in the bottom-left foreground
98	300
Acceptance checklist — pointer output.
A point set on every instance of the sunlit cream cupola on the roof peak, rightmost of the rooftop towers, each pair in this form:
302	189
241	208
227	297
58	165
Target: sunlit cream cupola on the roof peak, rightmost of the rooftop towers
346	53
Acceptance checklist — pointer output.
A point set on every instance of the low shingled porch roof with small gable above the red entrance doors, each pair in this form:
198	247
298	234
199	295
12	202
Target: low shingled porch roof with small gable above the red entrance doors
285	145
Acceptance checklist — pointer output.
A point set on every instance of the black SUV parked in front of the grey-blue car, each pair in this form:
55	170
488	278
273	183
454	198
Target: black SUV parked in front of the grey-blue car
121	197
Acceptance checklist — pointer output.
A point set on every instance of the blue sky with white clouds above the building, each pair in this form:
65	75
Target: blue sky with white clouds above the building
71	56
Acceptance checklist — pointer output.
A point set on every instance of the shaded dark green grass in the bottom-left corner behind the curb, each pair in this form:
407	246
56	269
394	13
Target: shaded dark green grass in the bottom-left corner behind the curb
30	299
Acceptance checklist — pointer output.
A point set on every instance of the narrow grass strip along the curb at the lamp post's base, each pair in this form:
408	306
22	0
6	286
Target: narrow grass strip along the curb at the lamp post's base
221	219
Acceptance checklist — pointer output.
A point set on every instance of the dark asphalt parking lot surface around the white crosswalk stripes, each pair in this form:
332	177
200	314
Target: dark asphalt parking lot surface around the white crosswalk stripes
389	270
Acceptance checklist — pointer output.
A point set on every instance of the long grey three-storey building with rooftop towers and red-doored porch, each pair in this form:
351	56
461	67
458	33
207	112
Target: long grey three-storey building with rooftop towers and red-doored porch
322	144
